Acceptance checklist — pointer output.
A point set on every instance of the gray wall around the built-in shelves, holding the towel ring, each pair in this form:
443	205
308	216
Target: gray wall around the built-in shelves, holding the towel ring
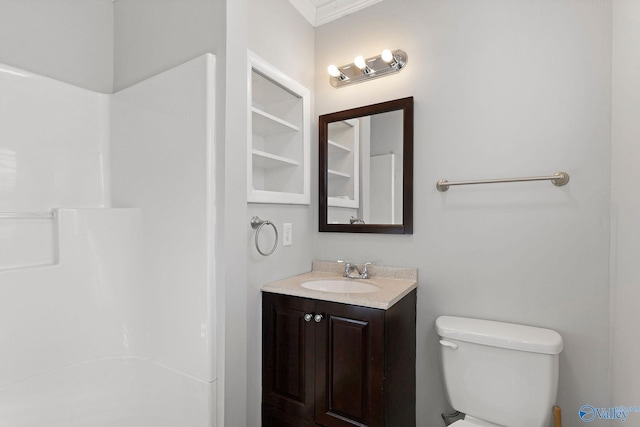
278	34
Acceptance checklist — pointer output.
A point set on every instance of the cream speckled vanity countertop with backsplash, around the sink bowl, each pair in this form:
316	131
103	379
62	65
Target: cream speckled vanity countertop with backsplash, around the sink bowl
394	283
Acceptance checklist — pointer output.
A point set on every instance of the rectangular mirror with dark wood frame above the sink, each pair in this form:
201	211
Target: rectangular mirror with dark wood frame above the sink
366	169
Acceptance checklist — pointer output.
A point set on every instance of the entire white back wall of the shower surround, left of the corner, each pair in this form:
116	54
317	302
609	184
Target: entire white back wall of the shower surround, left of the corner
64	278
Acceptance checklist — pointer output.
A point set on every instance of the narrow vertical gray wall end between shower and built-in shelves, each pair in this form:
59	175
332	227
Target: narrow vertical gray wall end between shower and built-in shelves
235	218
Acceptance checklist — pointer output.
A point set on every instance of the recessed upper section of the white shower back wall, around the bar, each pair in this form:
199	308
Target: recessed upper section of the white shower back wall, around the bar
53	152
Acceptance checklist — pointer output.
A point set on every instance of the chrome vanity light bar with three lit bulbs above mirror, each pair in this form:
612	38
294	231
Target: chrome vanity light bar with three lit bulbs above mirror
388	62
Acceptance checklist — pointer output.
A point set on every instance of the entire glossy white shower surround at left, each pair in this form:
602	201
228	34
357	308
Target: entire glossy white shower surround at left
114	322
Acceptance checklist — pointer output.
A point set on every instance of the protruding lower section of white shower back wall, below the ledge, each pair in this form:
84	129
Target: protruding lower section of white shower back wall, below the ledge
73	310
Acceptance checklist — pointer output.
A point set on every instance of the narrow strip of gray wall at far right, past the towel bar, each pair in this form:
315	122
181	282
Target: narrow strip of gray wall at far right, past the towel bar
625	221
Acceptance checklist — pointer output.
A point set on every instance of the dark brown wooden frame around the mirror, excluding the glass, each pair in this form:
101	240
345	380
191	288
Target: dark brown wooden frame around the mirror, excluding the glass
404	104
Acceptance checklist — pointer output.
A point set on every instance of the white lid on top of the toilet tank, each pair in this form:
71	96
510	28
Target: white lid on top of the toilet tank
500	334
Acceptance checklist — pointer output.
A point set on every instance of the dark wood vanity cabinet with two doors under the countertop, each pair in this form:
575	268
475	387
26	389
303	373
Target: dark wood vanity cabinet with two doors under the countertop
337	365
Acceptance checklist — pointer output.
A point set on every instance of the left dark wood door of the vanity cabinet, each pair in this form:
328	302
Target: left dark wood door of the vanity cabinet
288	355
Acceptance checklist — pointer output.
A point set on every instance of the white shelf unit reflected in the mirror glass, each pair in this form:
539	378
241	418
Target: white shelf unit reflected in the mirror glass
344	164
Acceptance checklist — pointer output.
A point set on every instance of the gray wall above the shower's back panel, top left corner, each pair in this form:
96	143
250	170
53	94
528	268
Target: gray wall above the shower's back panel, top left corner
68	40
